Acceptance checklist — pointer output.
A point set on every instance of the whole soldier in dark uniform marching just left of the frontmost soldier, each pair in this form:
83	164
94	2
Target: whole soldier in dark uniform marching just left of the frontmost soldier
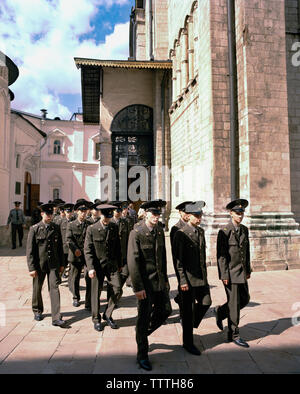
102	252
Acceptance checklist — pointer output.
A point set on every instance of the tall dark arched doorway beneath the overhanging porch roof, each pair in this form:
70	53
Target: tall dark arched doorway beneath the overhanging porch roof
132	143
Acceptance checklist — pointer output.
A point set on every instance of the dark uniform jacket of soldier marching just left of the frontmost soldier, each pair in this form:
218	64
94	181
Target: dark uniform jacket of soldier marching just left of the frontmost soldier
102	247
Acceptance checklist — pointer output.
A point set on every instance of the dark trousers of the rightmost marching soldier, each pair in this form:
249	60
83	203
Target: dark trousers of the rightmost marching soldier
237	298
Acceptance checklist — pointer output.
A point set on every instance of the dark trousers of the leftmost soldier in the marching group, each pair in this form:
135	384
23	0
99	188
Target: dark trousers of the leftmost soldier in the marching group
53	279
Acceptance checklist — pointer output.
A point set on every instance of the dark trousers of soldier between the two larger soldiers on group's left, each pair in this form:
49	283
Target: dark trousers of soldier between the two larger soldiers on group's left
74	279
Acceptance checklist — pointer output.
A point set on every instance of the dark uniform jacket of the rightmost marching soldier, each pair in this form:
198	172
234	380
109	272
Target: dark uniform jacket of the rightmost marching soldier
233	254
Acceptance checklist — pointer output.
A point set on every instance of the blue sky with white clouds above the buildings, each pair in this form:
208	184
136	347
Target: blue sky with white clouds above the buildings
43	36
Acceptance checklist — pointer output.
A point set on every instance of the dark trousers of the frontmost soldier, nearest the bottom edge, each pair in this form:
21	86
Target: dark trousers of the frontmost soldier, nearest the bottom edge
152	313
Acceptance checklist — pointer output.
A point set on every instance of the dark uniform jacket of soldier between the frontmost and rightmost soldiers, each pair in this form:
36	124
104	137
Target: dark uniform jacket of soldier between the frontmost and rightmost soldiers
190	255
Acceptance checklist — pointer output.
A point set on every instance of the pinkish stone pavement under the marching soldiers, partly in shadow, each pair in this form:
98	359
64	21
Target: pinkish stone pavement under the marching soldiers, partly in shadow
268	323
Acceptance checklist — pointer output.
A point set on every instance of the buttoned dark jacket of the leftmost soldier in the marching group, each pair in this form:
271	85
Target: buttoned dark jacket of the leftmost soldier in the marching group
44	248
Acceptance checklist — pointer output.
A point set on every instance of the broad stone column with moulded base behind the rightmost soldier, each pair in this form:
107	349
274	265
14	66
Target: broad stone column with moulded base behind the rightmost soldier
264	134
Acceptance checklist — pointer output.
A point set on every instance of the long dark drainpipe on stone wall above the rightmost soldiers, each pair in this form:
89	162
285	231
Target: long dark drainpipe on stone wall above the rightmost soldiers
233	94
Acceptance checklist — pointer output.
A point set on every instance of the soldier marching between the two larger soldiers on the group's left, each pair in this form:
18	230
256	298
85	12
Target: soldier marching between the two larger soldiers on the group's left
75	236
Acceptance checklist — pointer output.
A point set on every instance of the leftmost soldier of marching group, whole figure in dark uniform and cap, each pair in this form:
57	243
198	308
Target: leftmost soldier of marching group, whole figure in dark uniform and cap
45	257
